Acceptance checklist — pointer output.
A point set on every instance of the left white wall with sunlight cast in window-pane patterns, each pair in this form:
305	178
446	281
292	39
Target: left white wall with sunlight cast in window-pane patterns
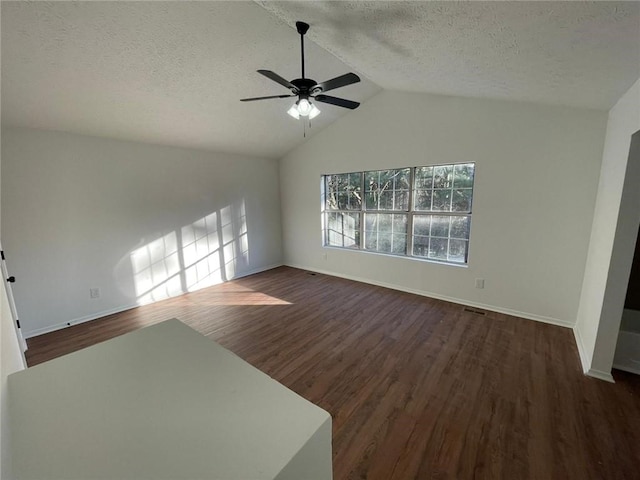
80	212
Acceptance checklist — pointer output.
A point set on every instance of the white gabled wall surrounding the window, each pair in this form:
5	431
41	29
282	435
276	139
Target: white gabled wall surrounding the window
537	172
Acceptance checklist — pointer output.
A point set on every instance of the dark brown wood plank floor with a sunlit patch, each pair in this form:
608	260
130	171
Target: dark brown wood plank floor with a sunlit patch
417	388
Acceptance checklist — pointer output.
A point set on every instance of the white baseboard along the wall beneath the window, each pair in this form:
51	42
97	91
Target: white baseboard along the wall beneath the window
493	308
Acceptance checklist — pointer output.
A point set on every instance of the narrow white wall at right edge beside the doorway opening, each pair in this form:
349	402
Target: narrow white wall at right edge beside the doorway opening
615	227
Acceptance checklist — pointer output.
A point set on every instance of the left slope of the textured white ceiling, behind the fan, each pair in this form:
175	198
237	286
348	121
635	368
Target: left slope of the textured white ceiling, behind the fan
160	72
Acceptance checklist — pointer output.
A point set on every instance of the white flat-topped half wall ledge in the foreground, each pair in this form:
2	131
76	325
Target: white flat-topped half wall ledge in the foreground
158	403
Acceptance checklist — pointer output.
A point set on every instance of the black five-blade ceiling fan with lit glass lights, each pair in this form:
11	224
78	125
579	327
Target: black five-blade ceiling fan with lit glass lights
306	89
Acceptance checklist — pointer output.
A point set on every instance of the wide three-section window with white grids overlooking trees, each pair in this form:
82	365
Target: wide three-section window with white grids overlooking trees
422	212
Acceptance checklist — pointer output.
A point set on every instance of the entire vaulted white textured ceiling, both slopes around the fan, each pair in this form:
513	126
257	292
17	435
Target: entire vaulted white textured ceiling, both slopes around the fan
173	72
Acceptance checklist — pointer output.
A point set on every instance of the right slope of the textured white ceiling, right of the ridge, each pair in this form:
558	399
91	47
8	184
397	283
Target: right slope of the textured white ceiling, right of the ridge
584	54
